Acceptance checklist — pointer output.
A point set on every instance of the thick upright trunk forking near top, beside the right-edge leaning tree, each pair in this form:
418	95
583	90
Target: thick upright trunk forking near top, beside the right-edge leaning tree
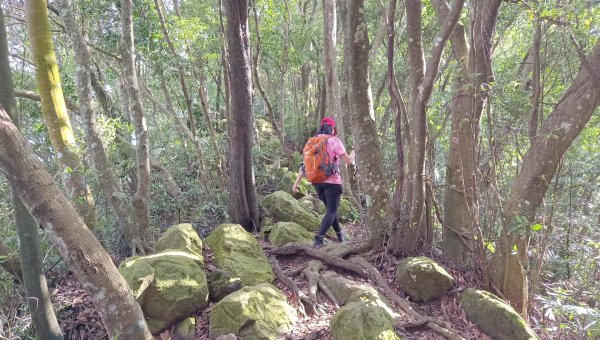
461	205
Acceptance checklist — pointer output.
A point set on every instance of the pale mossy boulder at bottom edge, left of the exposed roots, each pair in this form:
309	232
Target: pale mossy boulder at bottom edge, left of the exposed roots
259	312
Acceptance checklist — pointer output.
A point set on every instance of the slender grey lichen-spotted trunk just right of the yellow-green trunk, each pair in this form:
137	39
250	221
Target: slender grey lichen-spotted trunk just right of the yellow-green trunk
115	196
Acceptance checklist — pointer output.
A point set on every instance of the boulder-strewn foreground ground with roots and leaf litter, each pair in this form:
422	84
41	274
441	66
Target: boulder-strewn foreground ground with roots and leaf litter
275	285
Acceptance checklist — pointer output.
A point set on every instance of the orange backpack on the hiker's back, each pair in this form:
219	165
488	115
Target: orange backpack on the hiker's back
317	164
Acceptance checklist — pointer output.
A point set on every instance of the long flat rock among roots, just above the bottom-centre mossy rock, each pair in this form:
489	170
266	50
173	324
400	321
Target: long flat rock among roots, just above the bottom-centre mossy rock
348	291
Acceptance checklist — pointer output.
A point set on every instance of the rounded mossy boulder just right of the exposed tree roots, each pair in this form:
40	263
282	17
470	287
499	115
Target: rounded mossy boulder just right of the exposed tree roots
423	279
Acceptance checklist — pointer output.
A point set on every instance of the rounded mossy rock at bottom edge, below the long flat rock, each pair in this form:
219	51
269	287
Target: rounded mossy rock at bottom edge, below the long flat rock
362	321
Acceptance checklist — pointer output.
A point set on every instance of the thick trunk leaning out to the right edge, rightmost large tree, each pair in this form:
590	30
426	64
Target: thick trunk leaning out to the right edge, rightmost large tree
564	124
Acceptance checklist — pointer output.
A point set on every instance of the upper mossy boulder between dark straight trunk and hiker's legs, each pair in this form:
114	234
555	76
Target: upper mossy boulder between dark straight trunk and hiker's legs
285	208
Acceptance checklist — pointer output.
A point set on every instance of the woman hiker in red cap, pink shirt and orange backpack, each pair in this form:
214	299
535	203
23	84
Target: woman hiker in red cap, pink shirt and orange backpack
322	154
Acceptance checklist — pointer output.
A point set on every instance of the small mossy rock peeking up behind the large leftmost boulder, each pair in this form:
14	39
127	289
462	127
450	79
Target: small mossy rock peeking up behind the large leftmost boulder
180	237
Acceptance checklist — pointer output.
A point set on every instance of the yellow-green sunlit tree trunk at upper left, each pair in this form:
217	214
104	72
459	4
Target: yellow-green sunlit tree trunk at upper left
54	111
